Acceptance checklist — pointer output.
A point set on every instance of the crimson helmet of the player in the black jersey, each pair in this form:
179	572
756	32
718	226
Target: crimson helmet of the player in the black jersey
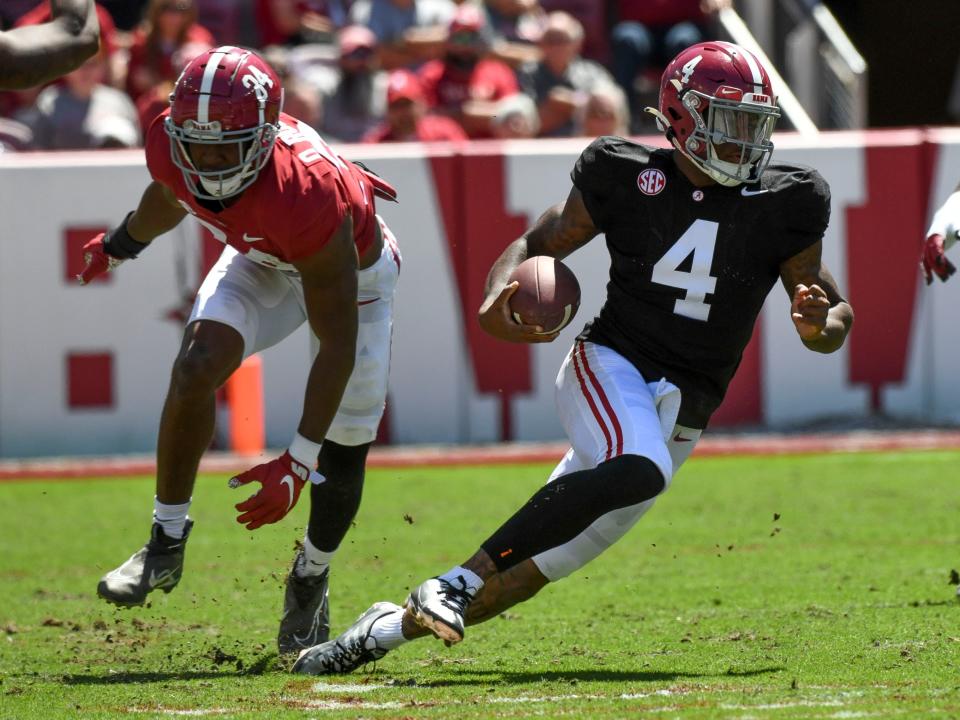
717	107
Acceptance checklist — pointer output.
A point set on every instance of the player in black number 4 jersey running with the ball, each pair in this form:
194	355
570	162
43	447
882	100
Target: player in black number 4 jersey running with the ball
698	235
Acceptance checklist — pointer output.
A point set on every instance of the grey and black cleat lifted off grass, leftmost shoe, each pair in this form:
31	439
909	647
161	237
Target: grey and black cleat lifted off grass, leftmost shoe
158	565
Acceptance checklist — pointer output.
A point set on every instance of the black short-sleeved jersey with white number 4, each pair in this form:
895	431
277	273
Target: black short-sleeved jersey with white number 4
690	267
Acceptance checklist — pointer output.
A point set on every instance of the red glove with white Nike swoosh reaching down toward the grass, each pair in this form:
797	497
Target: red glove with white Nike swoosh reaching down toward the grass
282	480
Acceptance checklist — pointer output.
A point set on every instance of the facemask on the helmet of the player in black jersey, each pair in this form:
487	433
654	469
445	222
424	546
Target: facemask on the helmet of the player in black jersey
740	125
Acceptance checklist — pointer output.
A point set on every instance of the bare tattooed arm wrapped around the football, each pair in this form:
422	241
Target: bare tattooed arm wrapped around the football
557	233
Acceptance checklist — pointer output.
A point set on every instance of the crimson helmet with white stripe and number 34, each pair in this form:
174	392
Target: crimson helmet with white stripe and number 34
225	95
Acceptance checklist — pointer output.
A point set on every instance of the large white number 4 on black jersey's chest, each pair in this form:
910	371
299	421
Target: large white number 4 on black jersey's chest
699	239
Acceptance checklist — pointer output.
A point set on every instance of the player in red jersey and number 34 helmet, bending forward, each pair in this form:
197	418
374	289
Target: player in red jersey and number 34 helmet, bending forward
303	245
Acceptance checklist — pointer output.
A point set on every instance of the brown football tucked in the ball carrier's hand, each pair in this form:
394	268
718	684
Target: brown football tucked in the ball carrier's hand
548	296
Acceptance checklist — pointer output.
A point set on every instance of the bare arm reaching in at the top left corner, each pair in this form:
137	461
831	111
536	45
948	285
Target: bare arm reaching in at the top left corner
36	54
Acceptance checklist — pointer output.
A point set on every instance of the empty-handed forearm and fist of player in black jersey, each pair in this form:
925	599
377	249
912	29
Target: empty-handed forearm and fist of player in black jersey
821	315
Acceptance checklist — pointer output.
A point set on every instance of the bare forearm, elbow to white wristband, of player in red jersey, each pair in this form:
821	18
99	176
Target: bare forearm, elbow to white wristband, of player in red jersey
325	385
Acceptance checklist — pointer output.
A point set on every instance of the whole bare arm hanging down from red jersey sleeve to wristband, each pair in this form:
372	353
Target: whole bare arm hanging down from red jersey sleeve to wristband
330	295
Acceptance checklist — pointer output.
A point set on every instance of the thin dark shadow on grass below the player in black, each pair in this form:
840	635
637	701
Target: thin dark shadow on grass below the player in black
618	676
